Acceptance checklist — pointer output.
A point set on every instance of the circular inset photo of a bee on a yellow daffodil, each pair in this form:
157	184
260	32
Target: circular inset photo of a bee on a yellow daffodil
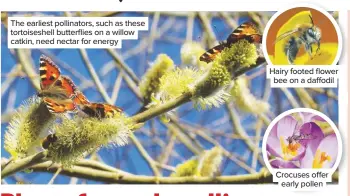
302	36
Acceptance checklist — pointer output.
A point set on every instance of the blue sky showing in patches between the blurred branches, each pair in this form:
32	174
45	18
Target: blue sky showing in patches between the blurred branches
127	158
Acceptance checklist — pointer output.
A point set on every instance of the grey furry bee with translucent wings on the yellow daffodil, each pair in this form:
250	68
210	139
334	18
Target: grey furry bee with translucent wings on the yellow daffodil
303	35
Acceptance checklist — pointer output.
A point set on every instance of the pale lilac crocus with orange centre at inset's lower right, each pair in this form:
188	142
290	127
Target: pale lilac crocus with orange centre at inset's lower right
324	156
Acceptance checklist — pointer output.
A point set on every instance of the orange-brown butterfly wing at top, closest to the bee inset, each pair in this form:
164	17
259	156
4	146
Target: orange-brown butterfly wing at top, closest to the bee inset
248	31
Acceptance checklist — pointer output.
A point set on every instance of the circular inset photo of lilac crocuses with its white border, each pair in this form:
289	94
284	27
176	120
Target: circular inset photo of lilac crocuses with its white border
302	138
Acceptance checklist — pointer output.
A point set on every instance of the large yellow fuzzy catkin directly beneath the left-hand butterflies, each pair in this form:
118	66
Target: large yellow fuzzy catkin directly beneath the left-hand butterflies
79	136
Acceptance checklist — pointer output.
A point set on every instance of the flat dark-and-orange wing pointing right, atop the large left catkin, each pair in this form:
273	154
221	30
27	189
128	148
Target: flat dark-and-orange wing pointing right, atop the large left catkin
100	110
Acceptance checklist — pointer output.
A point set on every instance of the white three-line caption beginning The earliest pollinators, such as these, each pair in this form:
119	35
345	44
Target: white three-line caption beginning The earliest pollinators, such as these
73	32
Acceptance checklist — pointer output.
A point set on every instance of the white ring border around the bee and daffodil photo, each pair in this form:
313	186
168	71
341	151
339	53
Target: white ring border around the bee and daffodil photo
324	12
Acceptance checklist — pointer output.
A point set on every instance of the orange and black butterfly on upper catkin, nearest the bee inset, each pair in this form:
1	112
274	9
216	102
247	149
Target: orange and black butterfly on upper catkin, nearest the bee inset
247	31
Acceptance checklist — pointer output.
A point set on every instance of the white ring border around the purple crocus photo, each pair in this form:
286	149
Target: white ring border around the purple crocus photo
297	110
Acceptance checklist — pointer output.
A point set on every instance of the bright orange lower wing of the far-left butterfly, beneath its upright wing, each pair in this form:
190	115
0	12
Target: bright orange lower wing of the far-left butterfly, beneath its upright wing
57	107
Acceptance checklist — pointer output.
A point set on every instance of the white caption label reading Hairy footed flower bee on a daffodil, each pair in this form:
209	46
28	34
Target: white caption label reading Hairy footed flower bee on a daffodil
311	76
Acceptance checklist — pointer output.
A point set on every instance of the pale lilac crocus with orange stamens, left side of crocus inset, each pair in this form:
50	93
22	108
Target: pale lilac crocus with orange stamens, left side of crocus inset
277	142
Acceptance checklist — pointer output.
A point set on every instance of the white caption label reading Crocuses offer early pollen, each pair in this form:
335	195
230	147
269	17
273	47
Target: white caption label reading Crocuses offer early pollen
302	179
